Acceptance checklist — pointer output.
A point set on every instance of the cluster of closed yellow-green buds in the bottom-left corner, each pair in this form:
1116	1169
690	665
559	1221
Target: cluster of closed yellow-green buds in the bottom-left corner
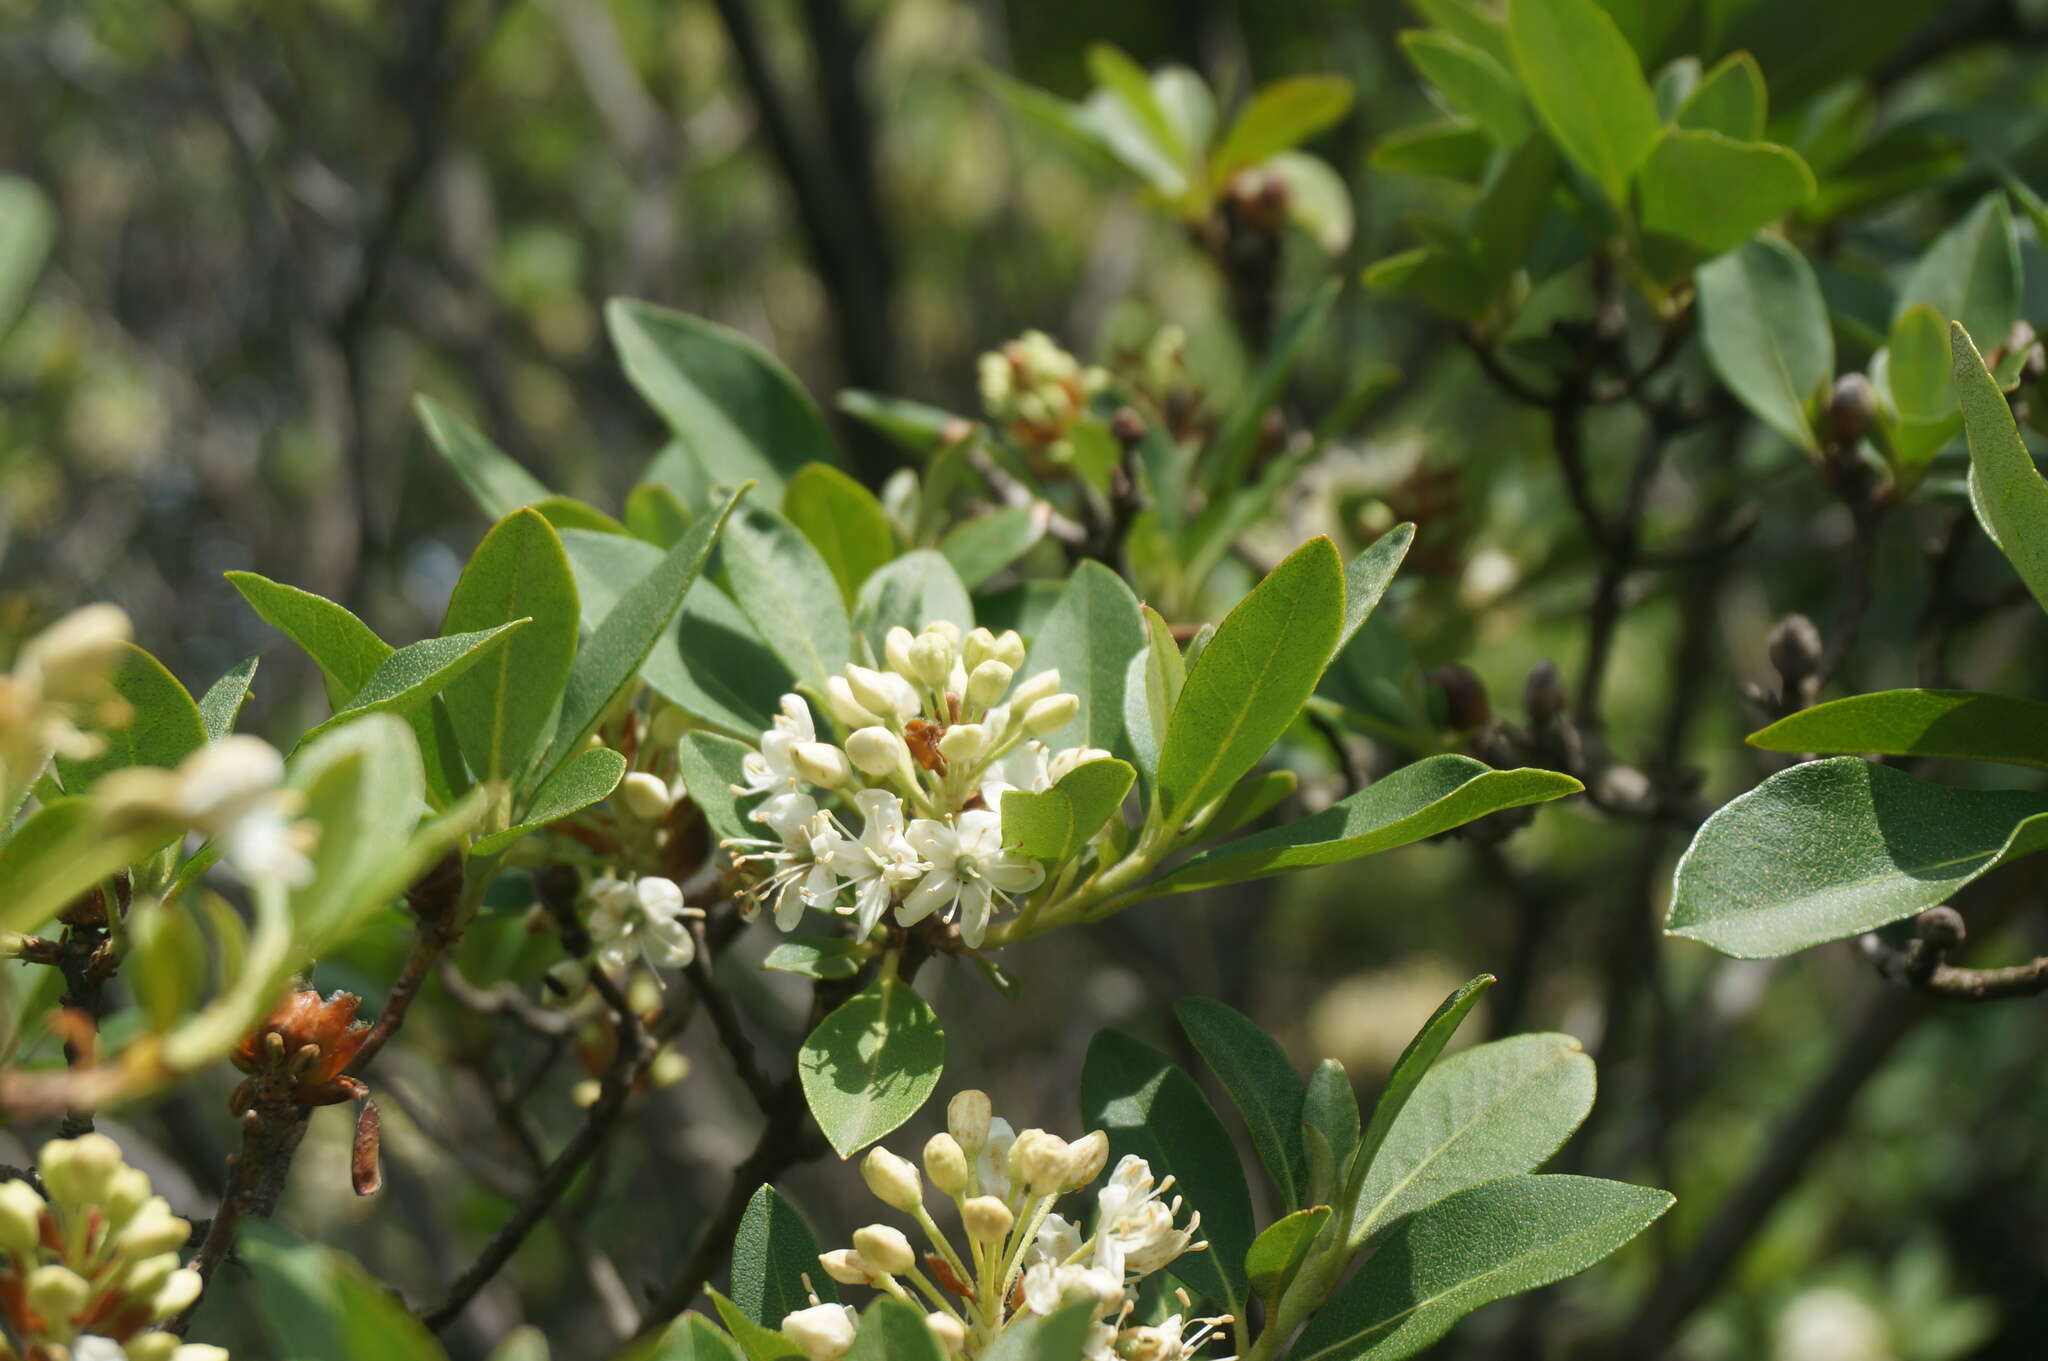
89	1272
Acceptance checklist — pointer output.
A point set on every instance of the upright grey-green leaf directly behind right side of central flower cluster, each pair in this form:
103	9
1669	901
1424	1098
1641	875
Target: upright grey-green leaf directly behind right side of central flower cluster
1091	638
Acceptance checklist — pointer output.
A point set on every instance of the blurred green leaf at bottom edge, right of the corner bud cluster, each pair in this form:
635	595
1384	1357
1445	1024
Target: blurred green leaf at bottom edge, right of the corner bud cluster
323	1307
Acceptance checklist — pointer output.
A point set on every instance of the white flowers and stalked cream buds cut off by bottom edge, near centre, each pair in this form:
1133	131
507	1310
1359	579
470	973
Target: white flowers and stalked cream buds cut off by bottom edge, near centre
1021	1260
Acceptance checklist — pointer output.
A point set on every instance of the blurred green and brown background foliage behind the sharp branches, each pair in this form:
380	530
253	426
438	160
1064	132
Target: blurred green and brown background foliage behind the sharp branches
280	224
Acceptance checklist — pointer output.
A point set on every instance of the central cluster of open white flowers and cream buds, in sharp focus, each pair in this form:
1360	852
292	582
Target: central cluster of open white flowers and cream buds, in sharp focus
935	742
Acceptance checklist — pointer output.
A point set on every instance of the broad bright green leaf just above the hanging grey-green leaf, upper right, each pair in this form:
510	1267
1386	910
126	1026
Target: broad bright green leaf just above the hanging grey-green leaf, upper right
1715	193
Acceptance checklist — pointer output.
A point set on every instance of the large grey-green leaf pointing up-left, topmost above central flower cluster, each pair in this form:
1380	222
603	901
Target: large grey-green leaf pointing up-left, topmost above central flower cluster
728	402
